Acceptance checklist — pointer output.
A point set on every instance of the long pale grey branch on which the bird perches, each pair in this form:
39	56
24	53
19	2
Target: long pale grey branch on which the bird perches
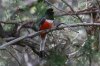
47	31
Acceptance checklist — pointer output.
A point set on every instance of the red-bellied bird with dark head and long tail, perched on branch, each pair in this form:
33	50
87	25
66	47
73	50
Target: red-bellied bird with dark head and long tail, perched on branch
45	23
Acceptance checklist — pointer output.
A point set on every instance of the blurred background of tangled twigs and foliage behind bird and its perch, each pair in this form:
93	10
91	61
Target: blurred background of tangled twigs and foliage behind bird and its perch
71	46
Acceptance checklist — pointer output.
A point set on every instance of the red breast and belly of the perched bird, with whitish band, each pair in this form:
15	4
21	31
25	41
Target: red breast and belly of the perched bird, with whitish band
48	24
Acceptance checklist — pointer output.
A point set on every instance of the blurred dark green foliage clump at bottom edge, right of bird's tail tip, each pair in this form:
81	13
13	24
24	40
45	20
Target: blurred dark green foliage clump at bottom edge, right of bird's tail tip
56	59
